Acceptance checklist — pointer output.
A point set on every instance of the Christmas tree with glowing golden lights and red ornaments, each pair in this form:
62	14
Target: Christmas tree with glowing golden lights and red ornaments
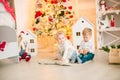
52	16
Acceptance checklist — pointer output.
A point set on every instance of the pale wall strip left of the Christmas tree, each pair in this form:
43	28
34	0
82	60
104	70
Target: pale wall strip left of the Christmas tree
24	13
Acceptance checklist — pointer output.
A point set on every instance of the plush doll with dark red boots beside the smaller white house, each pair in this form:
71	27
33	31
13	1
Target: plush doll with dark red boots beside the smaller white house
22	47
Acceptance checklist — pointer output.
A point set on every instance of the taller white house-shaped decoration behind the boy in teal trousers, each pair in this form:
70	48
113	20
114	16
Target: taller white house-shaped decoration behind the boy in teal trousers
77	29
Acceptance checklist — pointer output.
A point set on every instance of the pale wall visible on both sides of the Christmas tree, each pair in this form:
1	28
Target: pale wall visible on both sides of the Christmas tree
25	11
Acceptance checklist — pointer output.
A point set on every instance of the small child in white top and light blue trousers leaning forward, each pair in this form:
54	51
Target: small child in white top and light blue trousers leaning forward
66	51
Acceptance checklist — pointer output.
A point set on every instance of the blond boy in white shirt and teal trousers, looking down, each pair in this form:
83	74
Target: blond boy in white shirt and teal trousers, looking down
86	51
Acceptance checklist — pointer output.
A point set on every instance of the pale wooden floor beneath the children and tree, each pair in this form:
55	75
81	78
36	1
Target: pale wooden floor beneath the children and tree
98	69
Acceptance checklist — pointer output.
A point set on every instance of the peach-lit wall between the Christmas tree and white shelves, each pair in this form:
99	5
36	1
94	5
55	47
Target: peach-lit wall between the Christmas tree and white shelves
86	8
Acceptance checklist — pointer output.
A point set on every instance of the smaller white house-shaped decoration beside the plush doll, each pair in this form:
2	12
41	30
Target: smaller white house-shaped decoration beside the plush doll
30	41
